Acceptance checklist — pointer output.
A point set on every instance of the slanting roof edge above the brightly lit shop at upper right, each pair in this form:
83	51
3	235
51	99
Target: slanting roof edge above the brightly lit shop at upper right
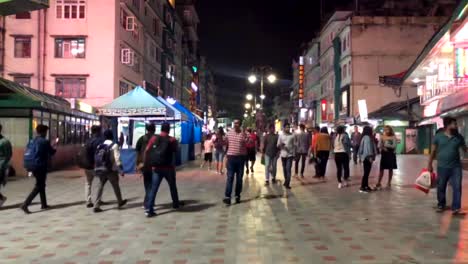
458	13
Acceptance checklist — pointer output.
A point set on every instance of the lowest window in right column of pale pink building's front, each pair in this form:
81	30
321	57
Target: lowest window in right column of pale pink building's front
70	87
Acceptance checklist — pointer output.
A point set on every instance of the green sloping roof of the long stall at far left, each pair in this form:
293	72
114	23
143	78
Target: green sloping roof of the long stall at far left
13	95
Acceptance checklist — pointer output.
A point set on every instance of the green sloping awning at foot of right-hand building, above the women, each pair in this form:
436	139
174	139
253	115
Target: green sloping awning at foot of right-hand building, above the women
394	110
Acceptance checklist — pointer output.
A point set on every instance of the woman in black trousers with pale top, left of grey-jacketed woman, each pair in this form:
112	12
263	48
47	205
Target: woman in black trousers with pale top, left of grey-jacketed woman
342	150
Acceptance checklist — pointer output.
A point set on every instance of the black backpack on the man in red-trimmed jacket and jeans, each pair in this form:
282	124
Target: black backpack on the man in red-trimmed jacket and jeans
159	152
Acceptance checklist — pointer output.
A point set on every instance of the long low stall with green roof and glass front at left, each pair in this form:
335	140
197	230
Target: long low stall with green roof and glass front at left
23	108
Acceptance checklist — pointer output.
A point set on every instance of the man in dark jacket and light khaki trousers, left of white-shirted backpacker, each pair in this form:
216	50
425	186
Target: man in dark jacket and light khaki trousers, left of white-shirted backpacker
91	146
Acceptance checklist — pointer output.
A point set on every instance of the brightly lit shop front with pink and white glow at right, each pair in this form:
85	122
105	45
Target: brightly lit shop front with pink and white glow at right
440	75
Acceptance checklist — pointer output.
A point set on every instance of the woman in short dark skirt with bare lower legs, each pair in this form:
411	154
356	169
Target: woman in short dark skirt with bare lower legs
387	146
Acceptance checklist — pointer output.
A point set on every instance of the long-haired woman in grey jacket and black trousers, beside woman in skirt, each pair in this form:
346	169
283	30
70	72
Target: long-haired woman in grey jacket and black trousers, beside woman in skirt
367	153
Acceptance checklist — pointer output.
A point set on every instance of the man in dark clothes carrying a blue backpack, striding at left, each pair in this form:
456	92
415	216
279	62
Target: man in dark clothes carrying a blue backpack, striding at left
45	151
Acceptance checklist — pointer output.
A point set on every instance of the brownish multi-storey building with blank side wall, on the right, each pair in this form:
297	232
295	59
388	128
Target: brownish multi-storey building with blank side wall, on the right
356	50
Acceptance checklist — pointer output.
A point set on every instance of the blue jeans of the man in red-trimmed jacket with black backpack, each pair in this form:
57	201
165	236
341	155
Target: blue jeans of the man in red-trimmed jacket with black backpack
158	176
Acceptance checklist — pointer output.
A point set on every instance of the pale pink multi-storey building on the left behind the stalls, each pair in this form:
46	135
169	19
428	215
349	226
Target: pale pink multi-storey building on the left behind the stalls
74	51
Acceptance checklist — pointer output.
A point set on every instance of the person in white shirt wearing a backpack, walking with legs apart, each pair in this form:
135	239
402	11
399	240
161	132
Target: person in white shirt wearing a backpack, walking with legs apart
111	173
